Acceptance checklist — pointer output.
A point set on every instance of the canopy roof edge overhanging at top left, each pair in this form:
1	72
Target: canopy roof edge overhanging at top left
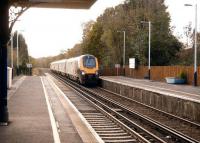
75	4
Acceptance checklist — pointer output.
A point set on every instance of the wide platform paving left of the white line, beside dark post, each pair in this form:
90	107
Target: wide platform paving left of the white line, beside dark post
28	115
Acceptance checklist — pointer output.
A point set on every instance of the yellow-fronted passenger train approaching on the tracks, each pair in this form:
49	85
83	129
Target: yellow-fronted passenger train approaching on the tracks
83	69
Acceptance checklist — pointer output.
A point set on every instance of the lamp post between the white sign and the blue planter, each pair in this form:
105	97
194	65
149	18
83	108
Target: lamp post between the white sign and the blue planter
149	55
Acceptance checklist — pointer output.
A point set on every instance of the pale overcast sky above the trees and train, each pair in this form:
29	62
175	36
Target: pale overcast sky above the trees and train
50	31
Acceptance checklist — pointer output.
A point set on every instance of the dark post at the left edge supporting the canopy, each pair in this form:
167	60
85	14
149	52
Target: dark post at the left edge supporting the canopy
4	38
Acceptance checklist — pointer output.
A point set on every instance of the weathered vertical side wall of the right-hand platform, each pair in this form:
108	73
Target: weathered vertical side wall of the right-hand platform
170	104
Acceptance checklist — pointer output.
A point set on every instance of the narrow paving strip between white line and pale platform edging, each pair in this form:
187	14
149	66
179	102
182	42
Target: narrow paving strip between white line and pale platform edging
66	129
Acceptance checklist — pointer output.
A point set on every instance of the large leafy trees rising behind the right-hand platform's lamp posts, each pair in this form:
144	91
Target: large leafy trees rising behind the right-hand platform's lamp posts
102	39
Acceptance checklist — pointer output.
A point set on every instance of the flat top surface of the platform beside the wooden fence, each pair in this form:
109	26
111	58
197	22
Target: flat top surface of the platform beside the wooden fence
187	92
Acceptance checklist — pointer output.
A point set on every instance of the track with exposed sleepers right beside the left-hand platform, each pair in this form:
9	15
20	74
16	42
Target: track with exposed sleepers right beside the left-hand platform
105	127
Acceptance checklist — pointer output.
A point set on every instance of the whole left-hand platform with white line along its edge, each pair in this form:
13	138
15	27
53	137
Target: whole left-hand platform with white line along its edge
36	115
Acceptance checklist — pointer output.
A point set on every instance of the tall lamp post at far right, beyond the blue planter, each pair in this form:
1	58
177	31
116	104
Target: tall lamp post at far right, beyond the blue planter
195	45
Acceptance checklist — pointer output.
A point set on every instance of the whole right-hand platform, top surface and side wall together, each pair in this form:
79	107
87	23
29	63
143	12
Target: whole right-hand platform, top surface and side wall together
182	100
